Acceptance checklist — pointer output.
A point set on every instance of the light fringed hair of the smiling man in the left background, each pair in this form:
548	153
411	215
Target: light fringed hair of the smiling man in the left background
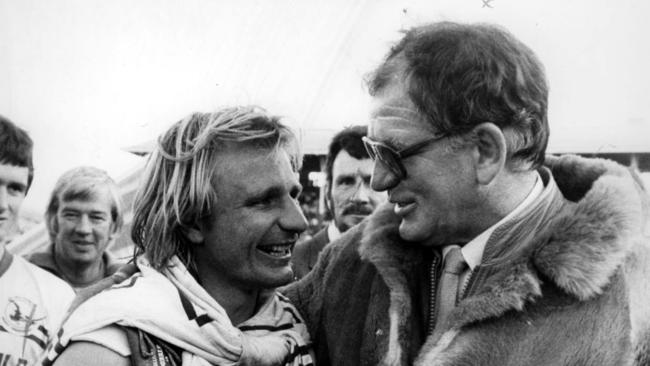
83	183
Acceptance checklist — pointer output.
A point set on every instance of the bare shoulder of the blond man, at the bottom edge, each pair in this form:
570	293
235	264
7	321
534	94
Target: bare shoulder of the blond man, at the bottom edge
85	353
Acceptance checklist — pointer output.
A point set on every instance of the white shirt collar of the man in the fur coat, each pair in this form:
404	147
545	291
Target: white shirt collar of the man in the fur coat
473	251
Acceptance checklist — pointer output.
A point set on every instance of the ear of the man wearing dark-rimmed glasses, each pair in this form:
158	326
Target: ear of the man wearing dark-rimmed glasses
491	151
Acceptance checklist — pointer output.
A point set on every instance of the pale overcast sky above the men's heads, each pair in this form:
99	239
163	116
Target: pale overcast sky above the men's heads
87	78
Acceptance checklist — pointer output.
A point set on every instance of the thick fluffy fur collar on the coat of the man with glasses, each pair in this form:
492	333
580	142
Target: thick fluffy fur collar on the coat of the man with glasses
579	250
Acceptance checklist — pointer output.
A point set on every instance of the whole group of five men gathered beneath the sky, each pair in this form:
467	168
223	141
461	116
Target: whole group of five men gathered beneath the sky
454	238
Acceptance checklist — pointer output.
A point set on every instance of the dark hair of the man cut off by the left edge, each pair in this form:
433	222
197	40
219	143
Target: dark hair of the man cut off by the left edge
16	147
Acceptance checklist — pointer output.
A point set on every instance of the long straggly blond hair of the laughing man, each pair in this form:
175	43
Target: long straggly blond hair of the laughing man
177	187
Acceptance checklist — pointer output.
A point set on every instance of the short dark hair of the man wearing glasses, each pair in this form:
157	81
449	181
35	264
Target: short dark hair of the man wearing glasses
461	75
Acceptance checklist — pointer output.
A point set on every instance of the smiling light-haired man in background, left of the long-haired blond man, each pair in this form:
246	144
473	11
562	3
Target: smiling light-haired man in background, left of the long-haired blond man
83	217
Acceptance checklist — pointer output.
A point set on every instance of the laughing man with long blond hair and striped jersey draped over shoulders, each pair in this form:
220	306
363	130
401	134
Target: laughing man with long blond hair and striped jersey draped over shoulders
215	221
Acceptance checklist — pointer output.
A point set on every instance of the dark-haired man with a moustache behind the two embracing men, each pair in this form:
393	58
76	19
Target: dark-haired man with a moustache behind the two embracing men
348	195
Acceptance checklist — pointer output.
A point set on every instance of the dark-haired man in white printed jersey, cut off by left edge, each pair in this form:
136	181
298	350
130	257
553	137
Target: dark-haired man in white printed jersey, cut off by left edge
32	301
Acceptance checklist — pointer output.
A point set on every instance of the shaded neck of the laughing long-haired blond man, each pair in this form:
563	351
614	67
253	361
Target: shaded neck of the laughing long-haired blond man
240	303
